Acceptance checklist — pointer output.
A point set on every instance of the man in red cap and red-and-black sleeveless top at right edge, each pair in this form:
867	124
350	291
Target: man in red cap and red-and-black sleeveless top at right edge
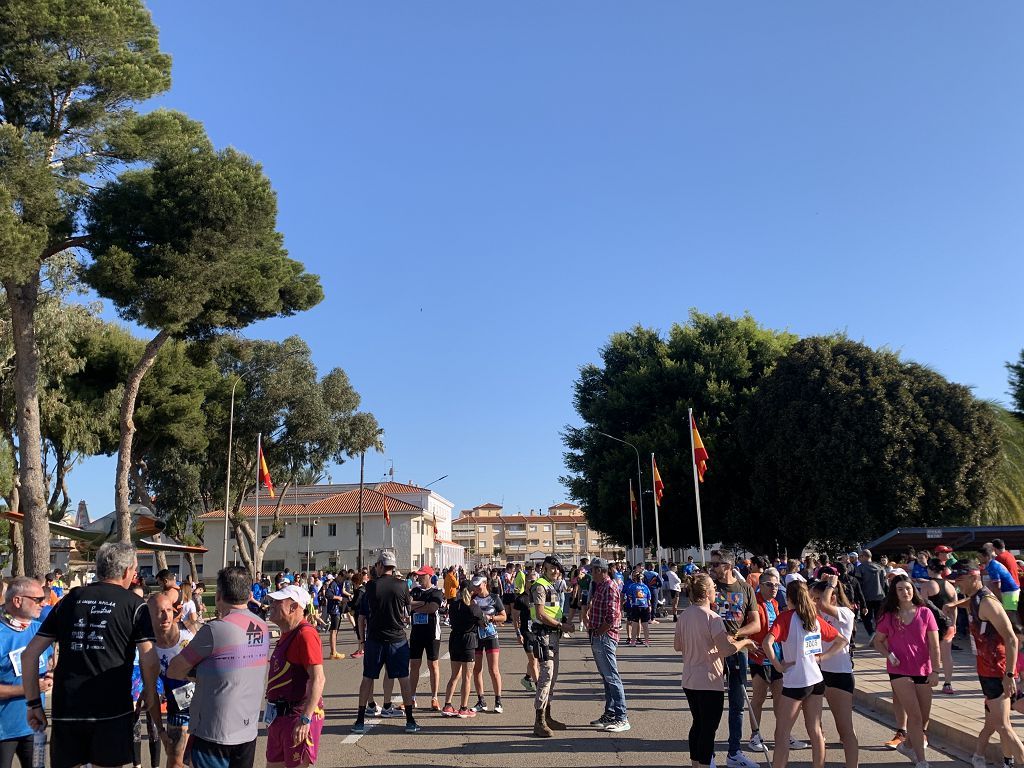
994	637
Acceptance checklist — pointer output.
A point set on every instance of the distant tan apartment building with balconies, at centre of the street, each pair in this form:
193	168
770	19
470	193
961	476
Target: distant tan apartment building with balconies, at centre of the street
490	536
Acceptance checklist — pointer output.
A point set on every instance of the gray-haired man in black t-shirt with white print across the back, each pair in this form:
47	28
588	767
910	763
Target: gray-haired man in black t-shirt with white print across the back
98	629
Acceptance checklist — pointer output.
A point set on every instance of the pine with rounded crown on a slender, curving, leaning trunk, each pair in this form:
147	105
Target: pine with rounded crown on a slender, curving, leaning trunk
189	248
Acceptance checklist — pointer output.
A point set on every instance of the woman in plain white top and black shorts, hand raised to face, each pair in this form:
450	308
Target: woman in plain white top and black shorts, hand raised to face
833	606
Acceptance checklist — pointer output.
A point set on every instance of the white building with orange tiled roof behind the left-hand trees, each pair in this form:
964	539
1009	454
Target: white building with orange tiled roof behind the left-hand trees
321	528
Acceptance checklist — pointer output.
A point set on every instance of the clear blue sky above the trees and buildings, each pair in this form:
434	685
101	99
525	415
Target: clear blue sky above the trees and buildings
489	191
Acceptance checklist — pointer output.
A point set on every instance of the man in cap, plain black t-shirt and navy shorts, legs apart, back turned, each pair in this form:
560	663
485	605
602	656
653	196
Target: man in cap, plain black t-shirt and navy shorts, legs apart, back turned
388	606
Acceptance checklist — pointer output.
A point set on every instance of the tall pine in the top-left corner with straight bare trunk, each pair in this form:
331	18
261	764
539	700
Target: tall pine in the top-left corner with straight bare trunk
70	74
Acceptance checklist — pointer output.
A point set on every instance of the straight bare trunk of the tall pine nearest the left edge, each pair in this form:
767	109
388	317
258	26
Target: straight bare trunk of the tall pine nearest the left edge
23	300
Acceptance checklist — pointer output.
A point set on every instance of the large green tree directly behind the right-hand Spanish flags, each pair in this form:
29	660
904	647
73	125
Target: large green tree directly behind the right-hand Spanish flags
641	394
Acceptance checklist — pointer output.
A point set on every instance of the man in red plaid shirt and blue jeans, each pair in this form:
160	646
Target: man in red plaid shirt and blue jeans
604	621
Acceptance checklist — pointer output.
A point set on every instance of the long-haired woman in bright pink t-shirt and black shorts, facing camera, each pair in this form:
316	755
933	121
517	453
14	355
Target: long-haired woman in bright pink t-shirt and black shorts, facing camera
909	637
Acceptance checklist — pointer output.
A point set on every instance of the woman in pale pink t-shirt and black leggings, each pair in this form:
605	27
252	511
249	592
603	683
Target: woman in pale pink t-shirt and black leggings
702	638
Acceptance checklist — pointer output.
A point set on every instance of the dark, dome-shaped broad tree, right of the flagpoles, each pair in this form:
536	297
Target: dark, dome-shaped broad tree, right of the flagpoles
848	443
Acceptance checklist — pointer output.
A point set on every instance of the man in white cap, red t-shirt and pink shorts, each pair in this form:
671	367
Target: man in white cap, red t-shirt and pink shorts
295	686
